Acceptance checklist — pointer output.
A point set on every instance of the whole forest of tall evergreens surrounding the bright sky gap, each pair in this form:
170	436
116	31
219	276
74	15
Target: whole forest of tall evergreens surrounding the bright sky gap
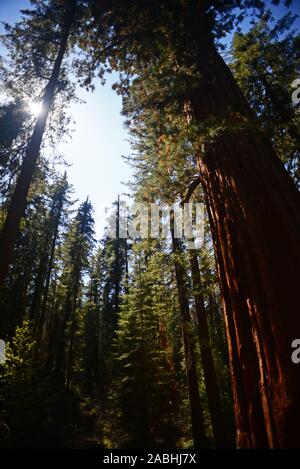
149	343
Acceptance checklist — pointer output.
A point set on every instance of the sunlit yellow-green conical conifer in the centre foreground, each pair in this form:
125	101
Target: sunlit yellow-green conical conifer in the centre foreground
145	395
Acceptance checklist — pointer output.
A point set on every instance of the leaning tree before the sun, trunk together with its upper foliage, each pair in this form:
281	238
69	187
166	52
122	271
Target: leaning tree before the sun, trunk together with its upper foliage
48	45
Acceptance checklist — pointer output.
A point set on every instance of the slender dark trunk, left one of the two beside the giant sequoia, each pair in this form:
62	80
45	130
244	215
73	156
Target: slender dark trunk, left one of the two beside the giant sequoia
191	370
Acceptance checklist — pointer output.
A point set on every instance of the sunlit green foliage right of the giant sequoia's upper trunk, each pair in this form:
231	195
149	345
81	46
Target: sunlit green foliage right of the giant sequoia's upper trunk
265	62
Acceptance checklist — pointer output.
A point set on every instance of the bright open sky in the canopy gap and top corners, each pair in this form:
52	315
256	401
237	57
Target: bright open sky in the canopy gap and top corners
94	152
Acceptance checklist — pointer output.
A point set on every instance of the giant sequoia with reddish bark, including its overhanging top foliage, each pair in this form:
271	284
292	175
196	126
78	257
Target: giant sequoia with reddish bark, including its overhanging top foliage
175	44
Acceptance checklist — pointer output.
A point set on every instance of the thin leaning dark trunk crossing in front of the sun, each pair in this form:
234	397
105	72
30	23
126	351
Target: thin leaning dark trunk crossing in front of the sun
18	203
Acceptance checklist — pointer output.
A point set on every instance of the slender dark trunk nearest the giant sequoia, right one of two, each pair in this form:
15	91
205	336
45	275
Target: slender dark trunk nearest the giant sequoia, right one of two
210	378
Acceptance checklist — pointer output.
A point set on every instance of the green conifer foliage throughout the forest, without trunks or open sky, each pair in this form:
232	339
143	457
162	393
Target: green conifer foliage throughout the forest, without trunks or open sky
104	341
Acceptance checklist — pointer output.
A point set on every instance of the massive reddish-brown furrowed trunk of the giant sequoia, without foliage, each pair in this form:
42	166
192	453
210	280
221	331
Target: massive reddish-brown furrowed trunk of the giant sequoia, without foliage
254	214
